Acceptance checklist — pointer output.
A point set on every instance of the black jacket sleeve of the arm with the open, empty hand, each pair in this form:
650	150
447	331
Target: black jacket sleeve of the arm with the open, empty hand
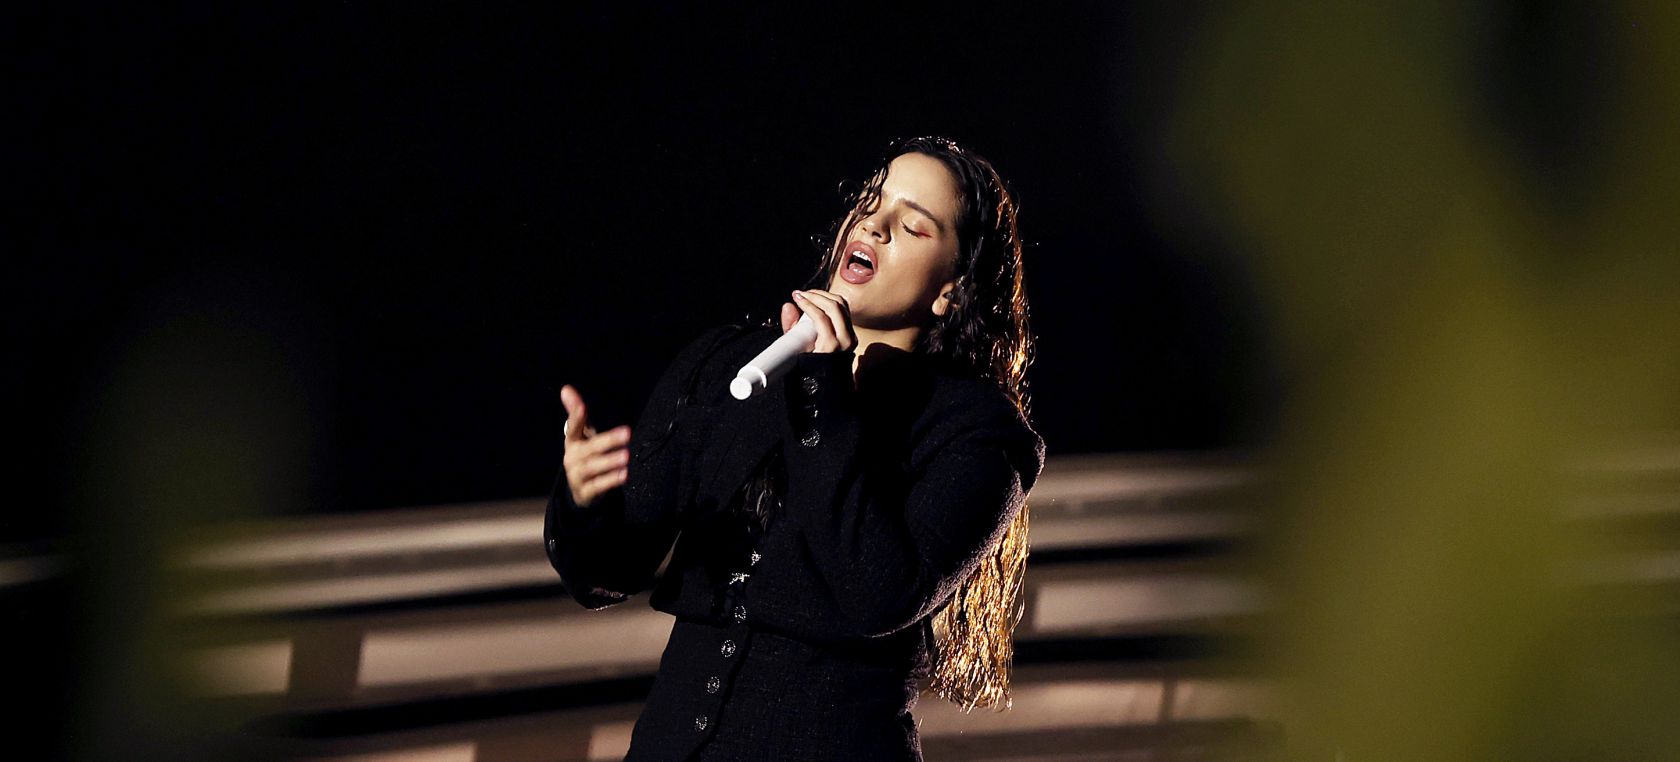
611	550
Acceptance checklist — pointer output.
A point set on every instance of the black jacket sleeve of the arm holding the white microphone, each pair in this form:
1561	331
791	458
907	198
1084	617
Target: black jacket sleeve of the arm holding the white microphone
864	550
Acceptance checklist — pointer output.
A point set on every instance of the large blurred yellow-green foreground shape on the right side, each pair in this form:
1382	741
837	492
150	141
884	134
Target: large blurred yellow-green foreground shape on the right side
1461	219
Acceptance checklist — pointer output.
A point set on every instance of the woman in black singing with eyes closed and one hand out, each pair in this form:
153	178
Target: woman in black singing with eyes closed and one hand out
856	528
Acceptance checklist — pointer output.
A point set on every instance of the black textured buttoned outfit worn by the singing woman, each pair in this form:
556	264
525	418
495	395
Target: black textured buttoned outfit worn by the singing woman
804	639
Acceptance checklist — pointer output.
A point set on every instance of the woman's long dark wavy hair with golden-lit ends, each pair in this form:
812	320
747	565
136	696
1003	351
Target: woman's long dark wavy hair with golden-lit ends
987	333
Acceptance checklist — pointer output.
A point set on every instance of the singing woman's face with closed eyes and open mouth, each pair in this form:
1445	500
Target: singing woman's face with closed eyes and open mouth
910	243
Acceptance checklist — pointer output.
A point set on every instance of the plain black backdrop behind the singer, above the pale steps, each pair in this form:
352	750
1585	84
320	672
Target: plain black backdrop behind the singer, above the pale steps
375	241
